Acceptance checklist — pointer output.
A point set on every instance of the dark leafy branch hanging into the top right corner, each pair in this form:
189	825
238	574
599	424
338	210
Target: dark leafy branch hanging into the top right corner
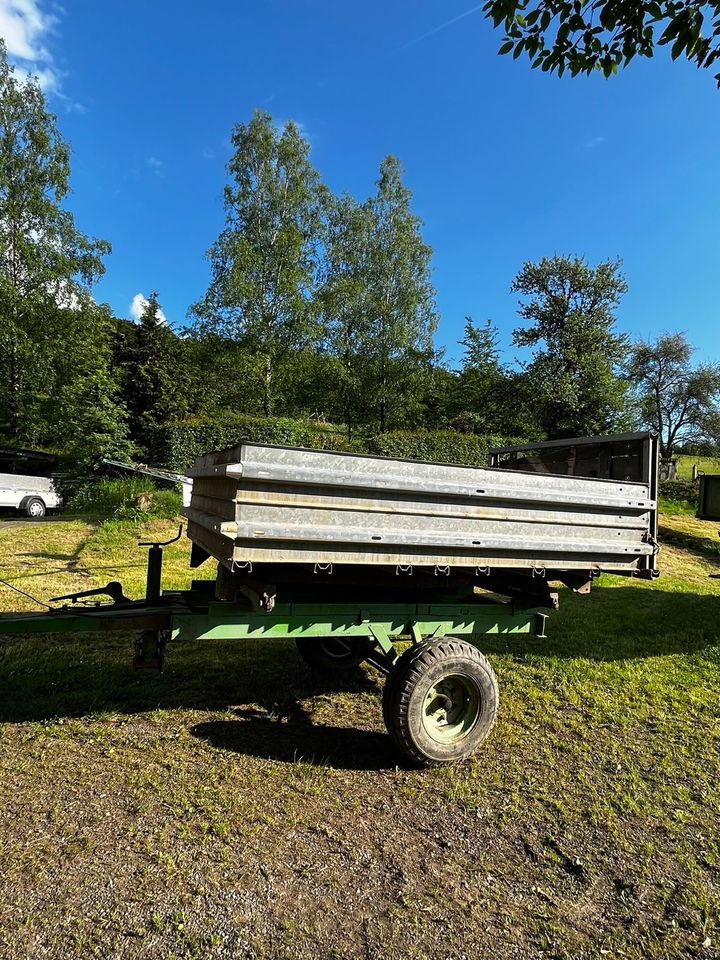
586	35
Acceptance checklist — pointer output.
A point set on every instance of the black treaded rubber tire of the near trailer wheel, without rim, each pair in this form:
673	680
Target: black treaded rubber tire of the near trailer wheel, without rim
419	670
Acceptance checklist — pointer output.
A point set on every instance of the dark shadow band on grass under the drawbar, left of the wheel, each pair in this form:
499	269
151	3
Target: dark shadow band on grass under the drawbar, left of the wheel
46	677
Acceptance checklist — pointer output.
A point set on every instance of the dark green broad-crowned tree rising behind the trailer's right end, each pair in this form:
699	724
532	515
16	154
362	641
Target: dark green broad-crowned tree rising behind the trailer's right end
569	308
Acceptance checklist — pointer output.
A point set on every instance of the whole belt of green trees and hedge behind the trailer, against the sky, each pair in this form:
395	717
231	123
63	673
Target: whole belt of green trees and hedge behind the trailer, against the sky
319	308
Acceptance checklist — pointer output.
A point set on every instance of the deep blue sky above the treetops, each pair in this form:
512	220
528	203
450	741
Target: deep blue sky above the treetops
506	164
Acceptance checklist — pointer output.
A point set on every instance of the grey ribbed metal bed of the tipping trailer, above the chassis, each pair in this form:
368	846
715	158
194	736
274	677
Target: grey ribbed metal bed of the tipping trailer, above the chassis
261	504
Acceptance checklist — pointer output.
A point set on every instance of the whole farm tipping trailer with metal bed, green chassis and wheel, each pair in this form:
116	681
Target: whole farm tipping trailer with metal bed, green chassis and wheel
347	554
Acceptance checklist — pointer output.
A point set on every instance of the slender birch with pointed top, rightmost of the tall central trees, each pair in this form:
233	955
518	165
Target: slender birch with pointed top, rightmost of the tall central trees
401	316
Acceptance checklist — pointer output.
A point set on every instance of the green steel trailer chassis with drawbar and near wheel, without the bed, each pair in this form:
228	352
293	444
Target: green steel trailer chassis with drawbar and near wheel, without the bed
440	696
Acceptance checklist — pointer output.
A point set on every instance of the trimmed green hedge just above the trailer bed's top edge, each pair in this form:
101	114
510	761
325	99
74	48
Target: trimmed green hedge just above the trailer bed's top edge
178	445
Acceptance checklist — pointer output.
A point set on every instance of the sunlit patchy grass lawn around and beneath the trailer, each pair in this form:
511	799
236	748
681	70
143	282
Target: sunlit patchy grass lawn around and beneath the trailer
239	806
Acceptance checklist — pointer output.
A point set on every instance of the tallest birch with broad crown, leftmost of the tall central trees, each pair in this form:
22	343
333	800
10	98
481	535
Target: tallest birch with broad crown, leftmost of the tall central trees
264	263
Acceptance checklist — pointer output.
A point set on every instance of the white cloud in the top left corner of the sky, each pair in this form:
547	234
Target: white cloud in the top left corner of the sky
25	28
